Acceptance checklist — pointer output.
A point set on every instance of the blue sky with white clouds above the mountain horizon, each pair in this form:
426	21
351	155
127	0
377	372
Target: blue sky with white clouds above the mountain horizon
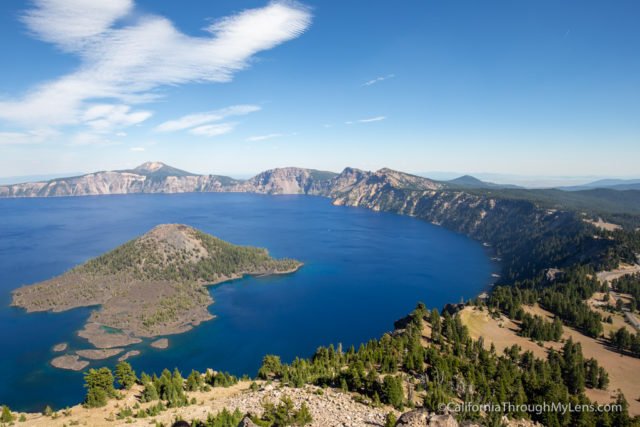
234	87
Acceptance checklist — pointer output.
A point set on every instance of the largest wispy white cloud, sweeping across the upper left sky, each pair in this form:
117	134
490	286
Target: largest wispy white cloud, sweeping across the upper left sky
127	63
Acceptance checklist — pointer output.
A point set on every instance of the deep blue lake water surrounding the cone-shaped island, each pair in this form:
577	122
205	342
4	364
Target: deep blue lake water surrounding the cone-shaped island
362	271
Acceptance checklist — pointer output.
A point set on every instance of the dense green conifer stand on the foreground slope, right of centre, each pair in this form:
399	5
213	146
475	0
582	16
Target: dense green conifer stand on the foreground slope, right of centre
452	367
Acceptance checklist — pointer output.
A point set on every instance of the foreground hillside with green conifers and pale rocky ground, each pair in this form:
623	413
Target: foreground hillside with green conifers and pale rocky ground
428	361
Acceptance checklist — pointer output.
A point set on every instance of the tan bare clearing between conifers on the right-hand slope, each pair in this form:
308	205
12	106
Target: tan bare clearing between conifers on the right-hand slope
623	370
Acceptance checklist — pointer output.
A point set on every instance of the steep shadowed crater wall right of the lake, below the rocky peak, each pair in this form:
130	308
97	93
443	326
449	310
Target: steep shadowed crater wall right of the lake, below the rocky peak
526	237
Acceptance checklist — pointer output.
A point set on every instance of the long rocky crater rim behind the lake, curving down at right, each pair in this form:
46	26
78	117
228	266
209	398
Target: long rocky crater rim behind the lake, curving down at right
511	221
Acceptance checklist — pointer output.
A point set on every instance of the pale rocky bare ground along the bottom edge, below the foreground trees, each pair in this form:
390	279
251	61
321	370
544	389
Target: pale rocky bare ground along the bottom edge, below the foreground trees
328	407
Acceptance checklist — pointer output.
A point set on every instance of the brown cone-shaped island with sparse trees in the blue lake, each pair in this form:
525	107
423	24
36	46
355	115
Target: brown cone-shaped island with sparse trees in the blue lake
151	286
